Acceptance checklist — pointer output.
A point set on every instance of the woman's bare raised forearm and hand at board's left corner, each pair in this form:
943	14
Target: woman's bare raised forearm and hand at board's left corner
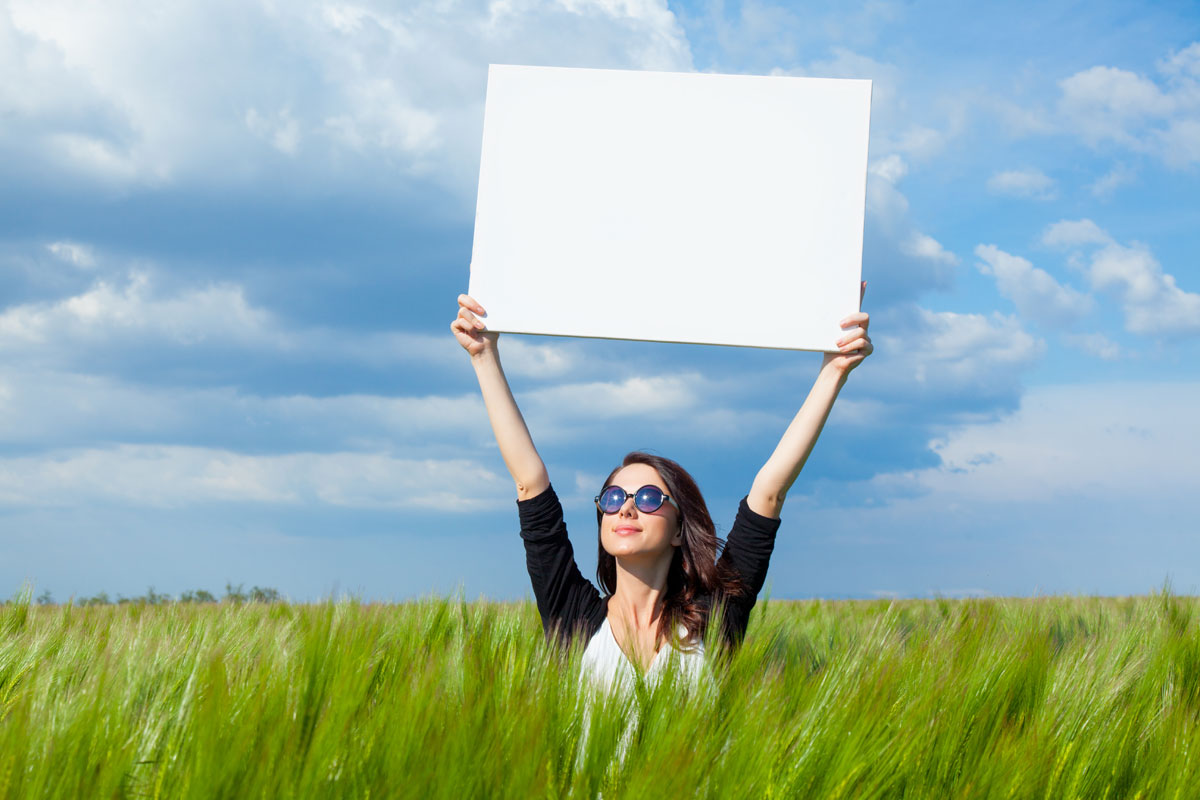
512	435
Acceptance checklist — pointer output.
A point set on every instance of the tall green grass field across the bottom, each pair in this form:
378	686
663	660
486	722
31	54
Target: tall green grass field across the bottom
980	699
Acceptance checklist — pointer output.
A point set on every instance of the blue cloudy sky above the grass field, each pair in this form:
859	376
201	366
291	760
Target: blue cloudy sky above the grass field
232	234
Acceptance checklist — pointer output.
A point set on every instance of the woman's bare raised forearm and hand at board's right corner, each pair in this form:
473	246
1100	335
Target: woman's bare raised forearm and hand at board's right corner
776	478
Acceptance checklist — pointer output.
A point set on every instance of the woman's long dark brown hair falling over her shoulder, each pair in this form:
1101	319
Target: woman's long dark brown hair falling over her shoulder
695	581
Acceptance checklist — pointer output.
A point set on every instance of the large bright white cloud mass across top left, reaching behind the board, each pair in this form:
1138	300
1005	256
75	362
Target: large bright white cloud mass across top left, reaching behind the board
363	88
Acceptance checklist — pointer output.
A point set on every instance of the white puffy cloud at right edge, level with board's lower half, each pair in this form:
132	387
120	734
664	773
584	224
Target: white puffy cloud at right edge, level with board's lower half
1151	300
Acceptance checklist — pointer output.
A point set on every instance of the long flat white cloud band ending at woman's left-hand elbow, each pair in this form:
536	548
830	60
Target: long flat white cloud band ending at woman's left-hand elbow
178	477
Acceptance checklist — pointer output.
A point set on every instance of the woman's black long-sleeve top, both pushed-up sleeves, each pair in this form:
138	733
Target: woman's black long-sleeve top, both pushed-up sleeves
571	605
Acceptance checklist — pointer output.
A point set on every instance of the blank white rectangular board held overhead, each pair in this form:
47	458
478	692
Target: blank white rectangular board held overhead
671	207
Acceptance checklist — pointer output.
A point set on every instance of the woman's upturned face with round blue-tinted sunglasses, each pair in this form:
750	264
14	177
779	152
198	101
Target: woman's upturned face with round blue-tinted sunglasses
631	533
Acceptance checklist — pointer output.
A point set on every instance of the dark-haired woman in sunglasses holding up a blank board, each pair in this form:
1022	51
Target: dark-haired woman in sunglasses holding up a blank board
658	563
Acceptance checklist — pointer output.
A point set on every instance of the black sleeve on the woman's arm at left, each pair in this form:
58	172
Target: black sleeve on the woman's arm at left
568	603
